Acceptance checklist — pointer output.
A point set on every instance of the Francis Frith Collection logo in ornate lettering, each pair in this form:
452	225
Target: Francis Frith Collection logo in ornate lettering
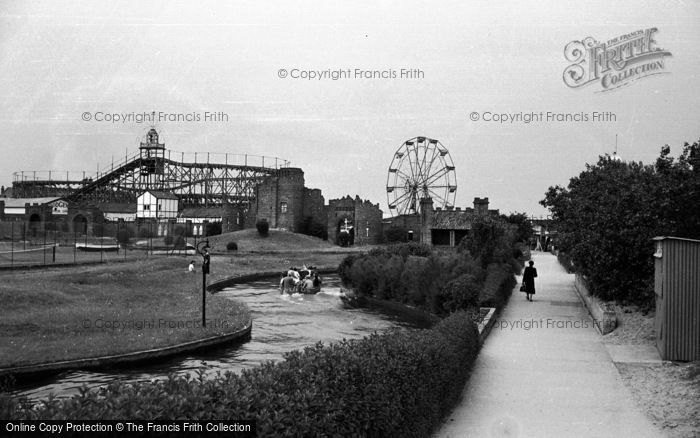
616	62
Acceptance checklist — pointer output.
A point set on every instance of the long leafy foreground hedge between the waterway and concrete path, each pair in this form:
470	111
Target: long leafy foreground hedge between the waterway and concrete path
399	384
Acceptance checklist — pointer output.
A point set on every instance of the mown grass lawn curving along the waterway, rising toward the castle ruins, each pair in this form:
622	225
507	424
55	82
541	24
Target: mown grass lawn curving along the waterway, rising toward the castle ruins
88	311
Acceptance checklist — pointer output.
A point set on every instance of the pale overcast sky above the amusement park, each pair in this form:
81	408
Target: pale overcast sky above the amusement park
62	60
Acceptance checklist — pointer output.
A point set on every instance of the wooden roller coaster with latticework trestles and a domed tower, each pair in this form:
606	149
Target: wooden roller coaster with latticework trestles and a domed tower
197	179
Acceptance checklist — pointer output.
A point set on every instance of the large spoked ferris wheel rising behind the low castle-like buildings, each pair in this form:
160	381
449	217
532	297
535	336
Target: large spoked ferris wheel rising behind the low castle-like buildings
421	168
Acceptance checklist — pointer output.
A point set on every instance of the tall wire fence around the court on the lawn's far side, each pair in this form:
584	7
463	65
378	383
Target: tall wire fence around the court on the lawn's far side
49	243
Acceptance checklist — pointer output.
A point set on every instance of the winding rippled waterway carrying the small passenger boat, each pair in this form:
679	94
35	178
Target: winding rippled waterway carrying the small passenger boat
281	323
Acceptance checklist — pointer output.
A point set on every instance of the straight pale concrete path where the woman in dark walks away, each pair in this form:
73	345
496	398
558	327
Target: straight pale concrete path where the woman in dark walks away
544	372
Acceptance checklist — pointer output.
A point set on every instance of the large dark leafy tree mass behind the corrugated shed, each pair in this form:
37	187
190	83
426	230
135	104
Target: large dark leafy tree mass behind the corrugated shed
607	216
